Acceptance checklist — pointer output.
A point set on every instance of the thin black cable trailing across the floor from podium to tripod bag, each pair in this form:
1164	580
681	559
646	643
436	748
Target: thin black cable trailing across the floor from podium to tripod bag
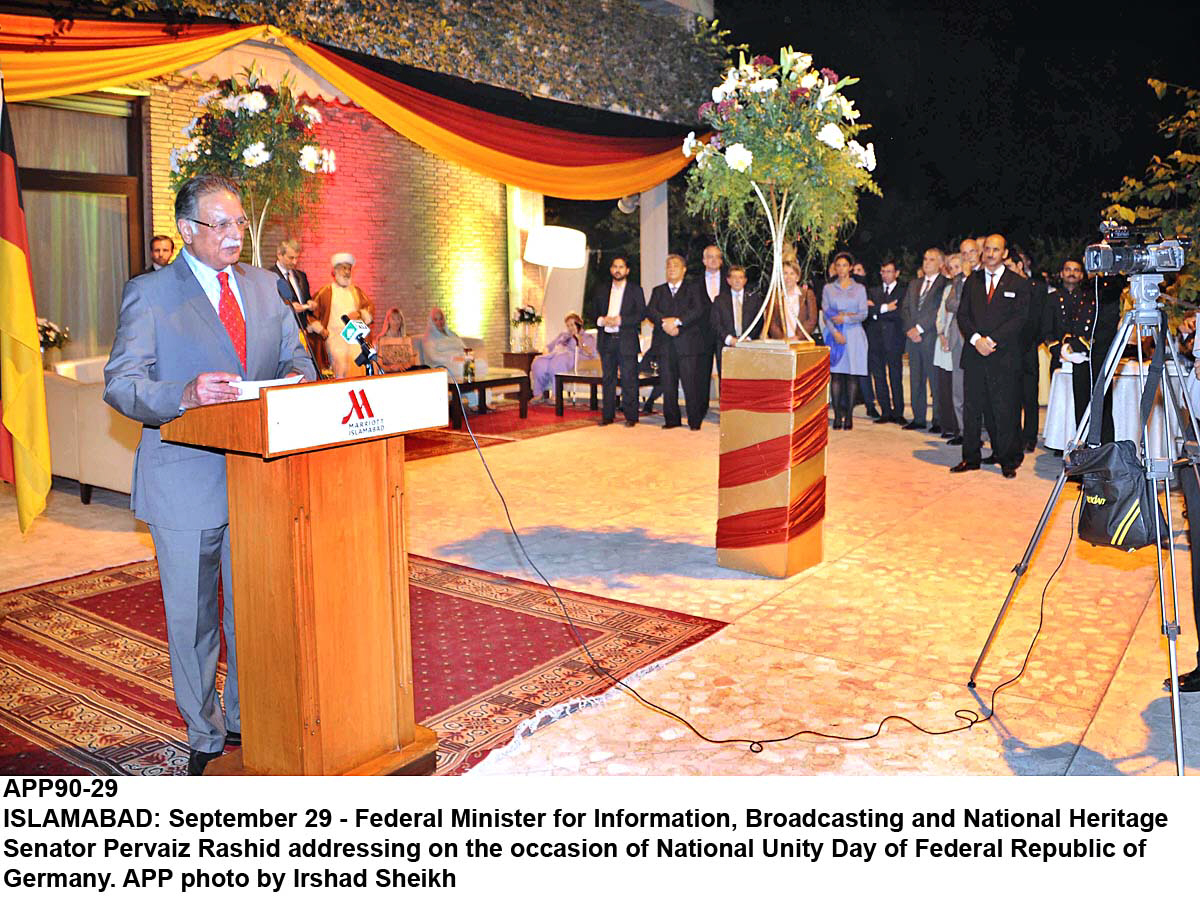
969	718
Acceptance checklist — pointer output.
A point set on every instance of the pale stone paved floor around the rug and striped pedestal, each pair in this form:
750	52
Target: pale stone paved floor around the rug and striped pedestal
917	565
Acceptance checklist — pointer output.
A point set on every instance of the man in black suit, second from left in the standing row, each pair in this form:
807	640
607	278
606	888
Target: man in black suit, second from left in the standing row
681	312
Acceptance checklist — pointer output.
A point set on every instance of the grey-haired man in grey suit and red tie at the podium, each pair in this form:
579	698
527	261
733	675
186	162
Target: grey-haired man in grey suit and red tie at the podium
187	335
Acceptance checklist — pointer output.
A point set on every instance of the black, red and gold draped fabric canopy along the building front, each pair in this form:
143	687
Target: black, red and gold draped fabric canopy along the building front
557	162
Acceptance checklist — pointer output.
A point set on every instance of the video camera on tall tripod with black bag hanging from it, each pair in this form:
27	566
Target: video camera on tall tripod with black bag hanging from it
1127	251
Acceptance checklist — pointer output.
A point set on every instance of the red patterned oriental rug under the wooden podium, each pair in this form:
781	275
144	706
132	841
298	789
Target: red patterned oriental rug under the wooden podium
86	681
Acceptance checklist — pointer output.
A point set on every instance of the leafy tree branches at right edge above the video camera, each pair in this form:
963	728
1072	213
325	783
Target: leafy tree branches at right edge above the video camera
1167	197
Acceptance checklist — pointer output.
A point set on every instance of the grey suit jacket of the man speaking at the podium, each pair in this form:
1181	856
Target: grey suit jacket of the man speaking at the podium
166	335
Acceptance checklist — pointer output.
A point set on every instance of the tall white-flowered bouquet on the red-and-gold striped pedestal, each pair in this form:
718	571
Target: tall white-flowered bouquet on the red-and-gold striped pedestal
783	146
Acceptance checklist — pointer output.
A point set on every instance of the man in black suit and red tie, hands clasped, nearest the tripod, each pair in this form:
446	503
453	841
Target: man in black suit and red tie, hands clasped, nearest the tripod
992	316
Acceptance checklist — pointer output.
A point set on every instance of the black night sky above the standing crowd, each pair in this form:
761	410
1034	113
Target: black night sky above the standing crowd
987	118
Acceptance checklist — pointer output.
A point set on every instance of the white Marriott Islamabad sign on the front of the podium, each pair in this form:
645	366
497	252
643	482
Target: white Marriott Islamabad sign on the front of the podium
337	412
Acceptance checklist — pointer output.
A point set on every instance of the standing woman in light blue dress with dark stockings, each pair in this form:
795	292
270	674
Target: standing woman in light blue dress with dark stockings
844	306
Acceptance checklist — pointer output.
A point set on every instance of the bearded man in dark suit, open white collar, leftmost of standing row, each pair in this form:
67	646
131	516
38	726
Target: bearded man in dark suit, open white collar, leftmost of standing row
617	332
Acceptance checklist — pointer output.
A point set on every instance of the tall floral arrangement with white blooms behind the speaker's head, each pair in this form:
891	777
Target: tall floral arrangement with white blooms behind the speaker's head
261	137
